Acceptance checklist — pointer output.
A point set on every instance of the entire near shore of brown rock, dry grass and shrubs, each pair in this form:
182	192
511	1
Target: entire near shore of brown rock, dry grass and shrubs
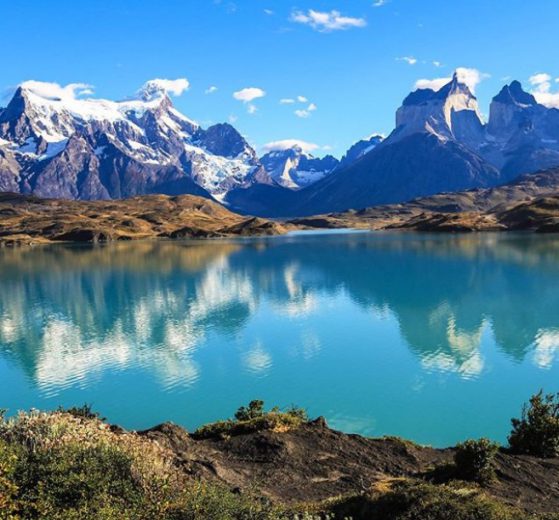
275	465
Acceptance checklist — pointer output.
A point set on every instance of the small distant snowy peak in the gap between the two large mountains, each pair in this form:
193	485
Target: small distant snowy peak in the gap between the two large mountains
294	168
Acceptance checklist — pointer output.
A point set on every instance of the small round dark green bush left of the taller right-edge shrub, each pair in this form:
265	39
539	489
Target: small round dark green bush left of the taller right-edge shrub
474	460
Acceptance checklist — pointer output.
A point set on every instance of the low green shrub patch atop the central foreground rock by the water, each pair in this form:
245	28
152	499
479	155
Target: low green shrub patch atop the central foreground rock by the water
252	419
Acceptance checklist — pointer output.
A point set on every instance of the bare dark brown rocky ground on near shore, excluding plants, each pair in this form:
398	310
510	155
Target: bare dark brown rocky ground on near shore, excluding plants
313	463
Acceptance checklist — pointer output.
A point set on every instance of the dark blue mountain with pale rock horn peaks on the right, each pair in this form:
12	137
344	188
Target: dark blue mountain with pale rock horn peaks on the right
441	144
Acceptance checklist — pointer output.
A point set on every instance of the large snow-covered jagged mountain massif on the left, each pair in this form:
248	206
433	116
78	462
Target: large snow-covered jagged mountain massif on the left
54	142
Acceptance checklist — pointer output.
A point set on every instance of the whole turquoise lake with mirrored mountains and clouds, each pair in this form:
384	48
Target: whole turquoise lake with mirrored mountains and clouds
435	338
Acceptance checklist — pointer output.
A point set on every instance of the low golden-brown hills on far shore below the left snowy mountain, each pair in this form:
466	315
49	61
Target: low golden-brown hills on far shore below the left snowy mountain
30	220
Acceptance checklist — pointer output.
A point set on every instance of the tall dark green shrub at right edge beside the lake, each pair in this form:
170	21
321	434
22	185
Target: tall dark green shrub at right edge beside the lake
537	431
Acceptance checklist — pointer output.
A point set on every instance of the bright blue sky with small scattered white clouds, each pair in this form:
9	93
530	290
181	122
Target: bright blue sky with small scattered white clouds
327	73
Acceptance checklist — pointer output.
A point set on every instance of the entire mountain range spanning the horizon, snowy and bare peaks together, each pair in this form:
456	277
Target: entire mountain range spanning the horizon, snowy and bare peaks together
57	142
